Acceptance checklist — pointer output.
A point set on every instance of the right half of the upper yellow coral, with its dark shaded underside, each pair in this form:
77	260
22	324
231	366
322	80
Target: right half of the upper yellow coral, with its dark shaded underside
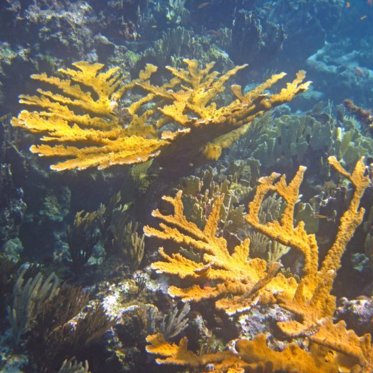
193	104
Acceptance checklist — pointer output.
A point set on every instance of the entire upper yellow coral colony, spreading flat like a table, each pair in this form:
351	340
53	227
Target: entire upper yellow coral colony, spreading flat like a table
82	123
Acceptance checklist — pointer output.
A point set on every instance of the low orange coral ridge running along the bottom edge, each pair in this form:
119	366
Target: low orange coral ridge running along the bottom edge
249	356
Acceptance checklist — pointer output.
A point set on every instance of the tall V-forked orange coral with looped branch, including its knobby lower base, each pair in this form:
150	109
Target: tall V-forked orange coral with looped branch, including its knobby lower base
312	301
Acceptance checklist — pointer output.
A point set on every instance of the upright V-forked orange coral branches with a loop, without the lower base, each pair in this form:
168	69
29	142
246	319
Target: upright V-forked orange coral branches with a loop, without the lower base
313	291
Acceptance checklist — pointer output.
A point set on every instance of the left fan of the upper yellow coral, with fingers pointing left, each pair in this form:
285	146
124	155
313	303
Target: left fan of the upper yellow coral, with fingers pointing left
80	122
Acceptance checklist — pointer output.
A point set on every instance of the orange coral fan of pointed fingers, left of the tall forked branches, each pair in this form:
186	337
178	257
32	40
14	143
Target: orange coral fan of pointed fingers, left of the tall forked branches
230	272
